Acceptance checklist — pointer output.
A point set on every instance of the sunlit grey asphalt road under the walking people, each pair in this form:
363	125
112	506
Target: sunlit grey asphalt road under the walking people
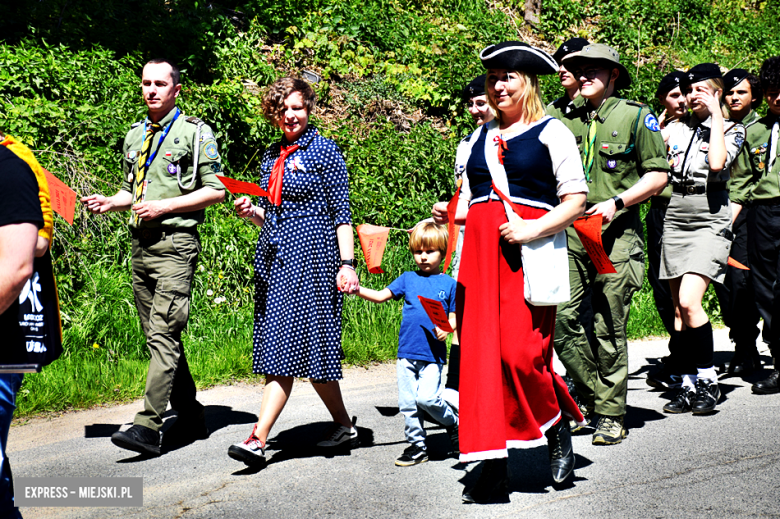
724	465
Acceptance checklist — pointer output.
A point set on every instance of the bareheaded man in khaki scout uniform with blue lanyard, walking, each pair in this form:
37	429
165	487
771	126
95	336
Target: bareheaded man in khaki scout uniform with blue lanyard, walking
169	166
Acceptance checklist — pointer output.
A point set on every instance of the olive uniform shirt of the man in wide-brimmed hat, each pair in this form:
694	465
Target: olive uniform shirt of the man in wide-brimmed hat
628	145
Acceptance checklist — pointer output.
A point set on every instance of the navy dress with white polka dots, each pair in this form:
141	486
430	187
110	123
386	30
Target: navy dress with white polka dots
297	328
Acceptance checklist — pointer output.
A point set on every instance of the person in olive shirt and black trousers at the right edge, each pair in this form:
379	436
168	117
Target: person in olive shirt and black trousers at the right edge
763	220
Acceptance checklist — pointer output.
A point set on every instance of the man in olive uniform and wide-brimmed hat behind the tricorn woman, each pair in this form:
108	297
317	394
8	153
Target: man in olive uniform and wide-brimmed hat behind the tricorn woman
624	158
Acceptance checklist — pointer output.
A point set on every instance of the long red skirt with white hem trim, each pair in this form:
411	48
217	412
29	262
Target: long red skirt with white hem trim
509	393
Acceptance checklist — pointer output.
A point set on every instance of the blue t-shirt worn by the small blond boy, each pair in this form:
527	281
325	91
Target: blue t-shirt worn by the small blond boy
416	340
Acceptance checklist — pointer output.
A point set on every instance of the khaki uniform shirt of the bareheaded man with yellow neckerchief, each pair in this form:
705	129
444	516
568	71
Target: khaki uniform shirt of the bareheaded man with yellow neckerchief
174	156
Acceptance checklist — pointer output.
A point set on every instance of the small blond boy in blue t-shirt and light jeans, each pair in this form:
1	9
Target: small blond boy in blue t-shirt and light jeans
422	352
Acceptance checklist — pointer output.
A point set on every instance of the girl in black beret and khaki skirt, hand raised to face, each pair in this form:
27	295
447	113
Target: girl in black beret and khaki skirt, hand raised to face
697	231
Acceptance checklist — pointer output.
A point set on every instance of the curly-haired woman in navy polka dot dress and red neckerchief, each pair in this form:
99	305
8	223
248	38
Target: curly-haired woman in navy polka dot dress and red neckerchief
302	264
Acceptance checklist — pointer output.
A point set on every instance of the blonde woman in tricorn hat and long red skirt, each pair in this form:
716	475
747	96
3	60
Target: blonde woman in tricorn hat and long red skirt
523	181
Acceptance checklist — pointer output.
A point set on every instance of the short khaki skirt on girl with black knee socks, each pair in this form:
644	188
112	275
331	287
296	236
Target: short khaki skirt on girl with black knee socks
697	236
